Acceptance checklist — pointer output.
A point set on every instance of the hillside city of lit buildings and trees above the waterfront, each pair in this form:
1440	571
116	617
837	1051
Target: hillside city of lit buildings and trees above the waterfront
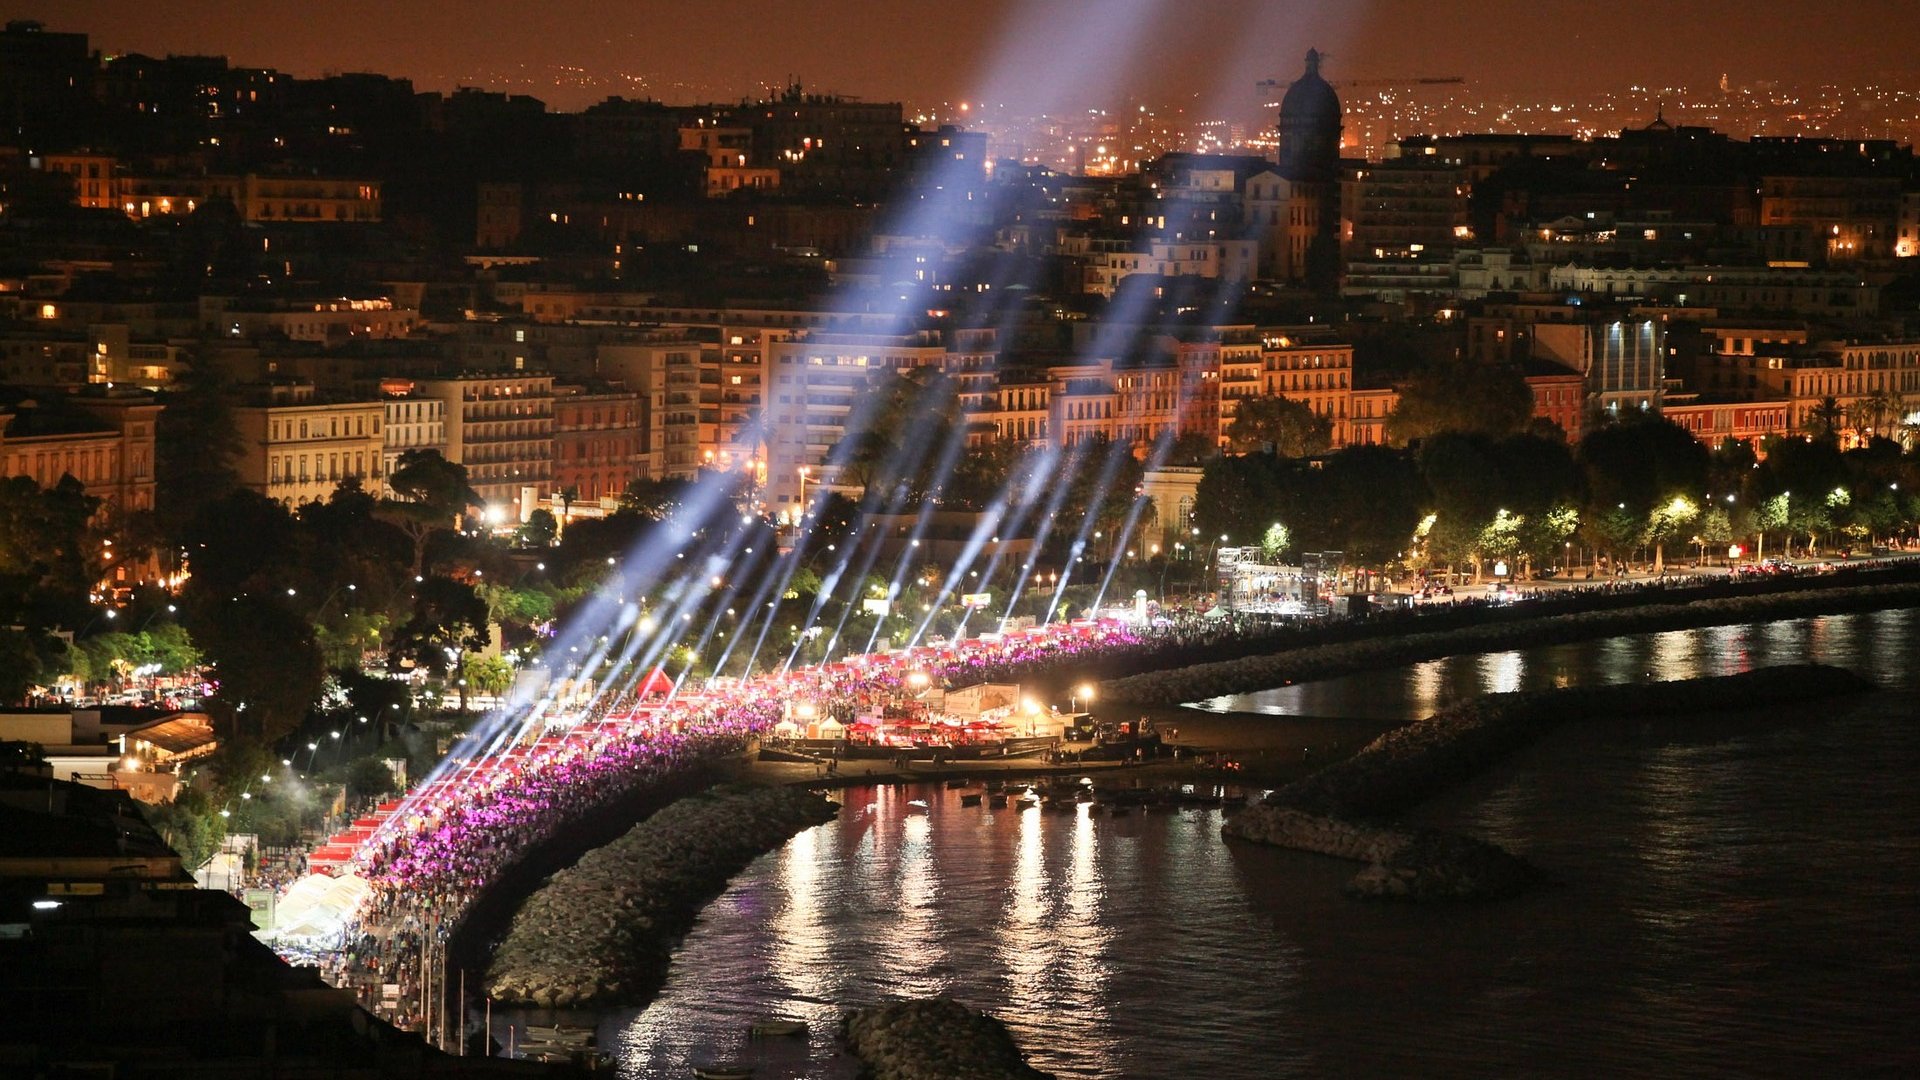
341	418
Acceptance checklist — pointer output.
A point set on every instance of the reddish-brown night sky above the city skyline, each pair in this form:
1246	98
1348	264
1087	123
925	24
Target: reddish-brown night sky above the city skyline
1036	55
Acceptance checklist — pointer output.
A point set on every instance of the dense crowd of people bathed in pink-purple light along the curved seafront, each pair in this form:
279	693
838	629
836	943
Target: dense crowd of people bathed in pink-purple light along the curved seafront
475	820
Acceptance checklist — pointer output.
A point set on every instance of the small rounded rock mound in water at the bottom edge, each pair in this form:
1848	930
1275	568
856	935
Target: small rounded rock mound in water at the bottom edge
934	1041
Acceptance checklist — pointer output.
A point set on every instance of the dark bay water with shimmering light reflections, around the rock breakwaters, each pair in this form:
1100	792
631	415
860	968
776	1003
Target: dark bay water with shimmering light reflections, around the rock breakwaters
1731	904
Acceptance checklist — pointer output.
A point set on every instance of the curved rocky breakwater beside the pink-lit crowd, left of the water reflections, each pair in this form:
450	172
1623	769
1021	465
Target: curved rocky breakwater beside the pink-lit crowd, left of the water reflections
602	931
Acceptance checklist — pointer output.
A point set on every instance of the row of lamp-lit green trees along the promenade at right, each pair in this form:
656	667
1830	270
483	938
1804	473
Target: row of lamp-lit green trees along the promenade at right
1635	487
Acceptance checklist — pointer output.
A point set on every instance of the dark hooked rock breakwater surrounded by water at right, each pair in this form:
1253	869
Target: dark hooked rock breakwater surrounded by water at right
1341	810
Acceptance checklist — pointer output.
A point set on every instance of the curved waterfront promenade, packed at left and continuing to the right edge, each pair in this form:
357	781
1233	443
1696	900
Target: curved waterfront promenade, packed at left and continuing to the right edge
433	854
